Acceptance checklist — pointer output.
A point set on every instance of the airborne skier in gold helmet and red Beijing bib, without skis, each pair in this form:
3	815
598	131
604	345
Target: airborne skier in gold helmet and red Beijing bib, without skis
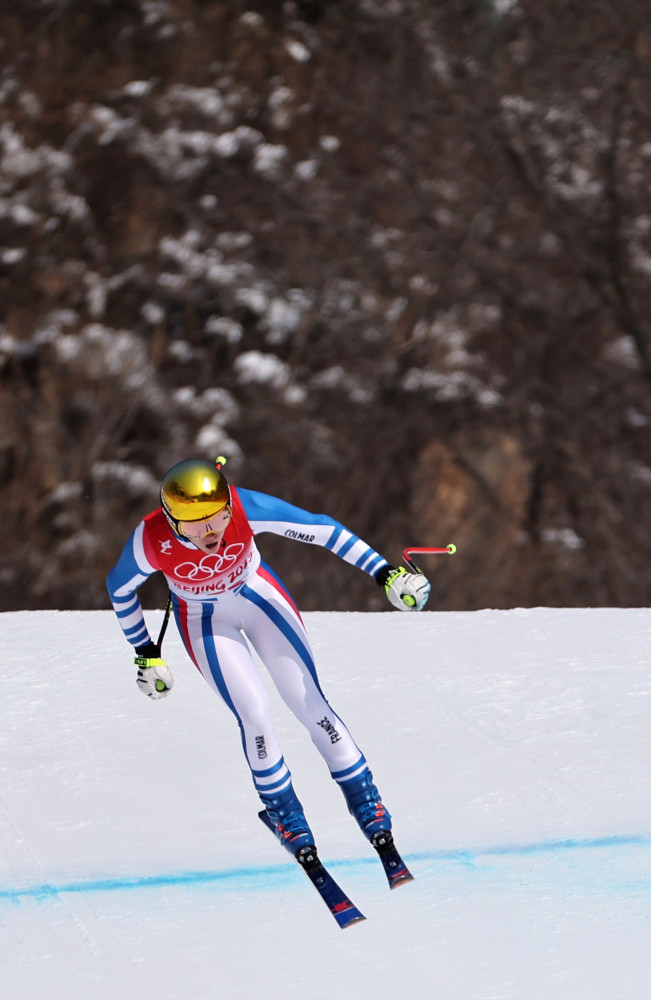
202	539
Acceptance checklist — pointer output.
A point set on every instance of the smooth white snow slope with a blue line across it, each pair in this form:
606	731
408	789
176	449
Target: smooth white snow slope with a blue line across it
513	748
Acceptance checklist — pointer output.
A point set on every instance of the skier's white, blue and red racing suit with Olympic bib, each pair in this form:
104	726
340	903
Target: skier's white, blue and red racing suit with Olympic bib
224	598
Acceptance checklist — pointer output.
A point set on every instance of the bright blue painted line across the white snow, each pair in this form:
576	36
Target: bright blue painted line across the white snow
254	877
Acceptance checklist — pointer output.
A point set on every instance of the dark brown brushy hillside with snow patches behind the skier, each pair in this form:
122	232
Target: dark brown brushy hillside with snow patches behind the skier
390	256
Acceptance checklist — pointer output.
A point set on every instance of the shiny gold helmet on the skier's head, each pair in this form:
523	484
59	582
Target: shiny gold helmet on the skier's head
194	490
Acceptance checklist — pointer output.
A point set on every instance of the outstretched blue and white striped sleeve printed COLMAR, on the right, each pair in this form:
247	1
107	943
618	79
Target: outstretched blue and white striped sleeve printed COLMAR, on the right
267	513
